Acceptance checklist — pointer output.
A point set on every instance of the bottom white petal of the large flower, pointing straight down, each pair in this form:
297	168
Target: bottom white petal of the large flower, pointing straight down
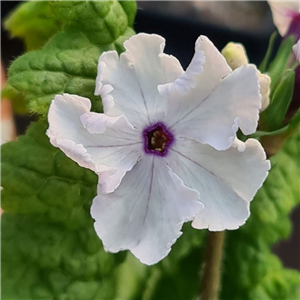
146	212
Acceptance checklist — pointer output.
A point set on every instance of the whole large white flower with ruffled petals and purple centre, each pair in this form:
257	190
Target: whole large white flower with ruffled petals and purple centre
165	148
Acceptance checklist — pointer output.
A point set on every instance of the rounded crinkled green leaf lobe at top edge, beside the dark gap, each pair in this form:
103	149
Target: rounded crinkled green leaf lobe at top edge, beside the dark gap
102	22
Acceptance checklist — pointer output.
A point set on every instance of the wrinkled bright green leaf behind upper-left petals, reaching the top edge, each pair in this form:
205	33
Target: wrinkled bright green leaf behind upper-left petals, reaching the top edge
68	62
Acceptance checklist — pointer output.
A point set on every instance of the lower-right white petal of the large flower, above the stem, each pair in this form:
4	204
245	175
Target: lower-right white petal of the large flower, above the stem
226	180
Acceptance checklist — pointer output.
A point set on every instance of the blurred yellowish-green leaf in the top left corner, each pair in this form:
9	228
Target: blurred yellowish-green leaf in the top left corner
34	22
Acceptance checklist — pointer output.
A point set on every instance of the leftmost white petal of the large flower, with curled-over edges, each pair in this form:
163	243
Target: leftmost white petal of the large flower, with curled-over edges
110	146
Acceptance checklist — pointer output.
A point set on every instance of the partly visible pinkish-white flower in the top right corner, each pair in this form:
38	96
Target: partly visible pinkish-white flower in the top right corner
286	17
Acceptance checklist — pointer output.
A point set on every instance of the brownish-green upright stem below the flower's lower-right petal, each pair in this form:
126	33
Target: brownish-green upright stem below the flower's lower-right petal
212	266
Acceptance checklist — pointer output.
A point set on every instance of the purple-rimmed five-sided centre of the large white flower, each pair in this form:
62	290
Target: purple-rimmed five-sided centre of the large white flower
157	139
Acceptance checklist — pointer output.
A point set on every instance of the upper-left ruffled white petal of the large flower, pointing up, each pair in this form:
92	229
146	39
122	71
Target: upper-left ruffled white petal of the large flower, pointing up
128	85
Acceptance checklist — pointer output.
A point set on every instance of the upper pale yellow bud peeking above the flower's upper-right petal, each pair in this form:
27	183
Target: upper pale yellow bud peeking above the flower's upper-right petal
235	55
